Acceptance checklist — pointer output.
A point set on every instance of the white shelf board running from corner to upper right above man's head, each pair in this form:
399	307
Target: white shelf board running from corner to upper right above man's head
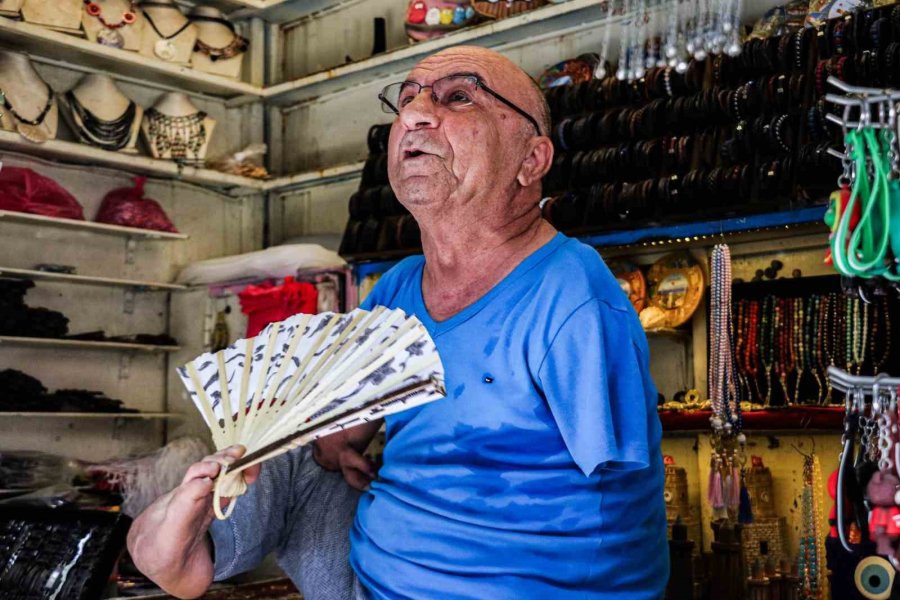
554	19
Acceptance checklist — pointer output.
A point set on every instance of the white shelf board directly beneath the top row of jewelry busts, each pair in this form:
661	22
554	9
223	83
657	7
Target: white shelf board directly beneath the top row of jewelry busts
80	54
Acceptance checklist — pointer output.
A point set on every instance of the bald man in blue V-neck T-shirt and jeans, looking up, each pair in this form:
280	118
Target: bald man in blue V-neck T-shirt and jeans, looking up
540	474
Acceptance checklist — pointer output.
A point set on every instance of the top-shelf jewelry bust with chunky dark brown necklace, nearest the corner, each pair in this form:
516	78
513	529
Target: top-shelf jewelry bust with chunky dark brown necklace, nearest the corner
219	48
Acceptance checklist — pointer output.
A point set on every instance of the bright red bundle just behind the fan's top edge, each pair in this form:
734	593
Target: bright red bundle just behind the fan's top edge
269	303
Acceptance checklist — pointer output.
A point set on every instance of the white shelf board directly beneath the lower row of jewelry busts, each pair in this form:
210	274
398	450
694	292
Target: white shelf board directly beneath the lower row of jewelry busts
71	152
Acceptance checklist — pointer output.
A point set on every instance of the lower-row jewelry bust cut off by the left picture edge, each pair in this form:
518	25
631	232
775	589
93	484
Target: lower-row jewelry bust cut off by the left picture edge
30	107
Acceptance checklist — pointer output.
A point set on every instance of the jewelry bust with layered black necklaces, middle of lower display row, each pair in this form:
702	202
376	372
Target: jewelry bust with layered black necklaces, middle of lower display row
101	115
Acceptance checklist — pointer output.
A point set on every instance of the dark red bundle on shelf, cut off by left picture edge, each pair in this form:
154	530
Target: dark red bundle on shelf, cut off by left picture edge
23	190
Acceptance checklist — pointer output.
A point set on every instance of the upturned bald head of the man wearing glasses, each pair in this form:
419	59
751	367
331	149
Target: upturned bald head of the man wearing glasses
459	148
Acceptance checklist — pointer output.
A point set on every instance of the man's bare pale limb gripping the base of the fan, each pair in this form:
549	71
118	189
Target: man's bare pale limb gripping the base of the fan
168	541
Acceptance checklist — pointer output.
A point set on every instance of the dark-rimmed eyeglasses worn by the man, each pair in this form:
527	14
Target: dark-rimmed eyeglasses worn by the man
453	92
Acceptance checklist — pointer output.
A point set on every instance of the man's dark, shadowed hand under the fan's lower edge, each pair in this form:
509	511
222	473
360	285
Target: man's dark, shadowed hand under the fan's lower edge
342	452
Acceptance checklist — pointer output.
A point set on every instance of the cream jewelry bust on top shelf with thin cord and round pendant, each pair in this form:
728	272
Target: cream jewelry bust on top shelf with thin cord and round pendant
168	34
